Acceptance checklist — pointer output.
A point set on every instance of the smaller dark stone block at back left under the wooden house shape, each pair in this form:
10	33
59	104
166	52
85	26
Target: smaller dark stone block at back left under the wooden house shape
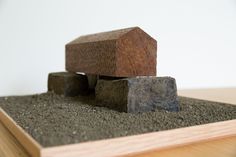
68	84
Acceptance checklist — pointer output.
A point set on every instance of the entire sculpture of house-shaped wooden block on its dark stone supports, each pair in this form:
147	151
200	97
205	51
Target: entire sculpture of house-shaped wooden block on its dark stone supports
120	67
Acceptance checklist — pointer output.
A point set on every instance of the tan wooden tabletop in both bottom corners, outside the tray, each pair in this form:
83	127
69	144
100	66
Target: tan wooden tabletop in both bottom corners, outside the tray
225	147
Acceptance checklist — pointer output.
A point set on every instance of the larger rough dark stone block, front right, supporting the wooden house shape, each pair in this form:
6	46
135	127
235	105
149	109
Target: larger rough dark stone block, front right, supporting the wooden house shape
141	94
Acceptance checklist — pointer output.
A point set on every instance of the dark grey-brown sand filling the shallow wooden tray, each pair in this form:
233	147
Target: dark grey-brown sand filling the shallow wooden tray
55	120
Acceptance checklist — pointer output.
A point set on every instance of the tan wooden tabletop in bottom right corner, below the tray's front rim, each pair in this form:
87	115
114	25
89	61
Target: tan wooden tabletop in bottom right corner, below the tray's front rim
224	147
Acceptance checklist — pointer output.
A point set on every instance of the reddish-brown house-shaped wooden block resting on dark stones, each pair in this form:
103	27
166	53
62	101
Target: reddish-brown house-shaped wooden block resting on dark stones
121	53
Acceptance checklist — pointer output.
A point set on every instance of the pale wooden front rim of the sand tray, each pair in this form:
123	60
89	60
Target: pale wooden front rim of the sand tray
144	142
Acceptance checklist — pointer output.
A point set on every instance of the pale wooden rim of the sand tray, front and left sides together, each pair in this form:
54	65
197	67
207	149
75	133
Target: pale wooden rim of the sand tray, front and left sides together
118	146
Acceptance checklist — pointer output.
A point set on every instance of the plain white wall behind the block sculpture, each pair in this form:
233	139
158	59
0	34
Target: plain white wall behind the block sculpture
196	39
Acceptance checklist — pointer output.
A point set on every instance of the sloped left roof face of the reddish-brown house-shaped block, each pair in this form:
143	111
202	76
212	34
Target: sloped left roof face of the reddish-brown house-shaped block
110	35
